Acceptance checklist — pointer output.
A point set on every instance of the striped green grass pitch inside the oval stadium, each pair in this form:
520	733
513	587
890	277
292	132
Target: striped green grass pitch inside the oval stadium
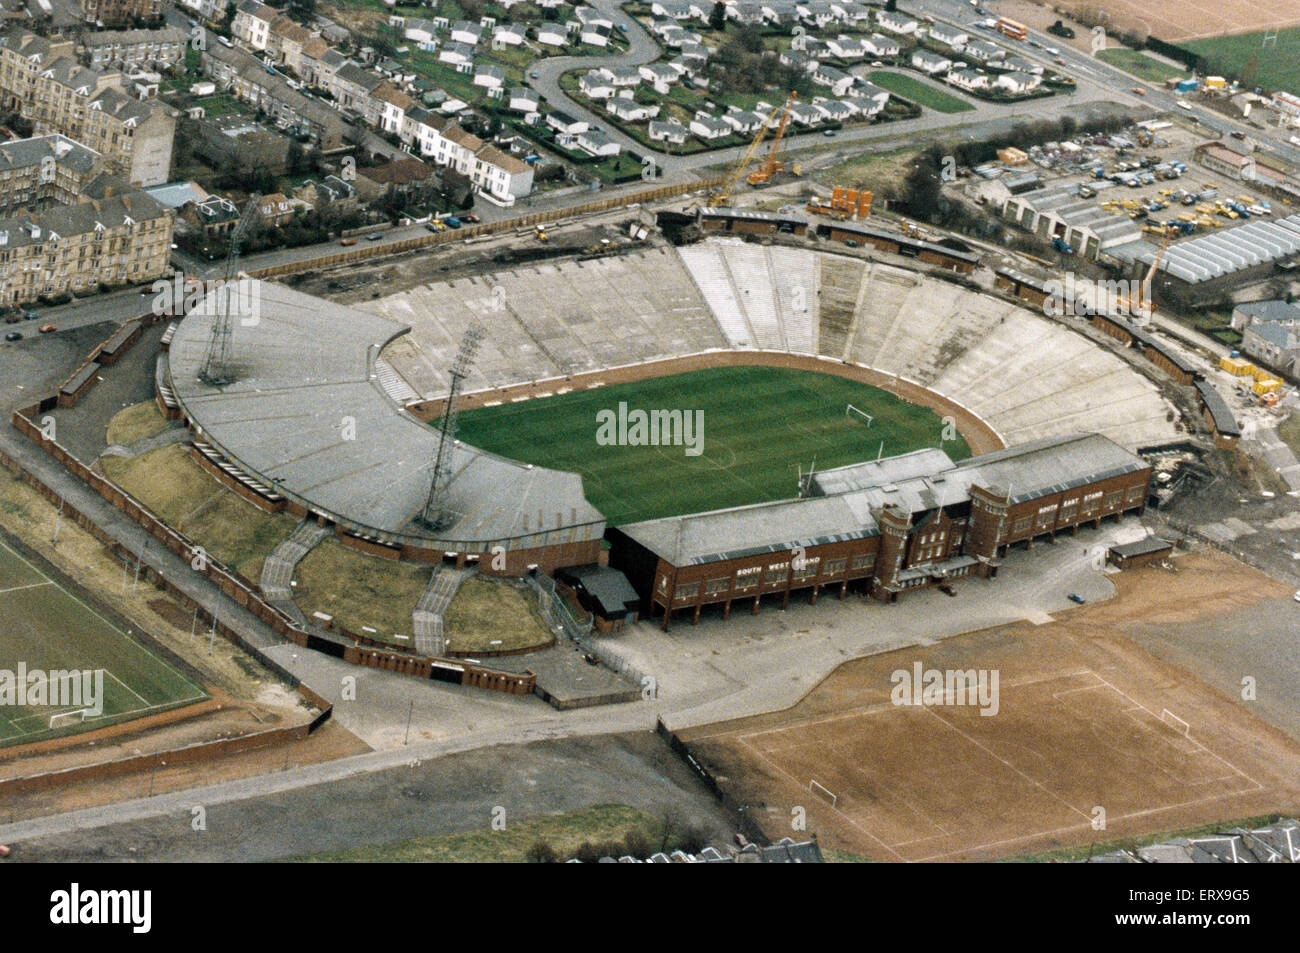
761	427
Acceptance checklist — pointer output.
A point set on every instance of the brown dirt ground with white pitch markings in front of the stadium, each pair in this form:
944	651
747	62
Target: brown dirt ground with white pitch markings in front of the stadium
1081	725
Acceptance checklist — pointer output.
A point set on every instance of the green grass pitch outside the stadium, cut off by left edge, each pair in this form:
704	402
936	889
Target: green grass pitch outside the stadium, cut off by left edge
44	630
